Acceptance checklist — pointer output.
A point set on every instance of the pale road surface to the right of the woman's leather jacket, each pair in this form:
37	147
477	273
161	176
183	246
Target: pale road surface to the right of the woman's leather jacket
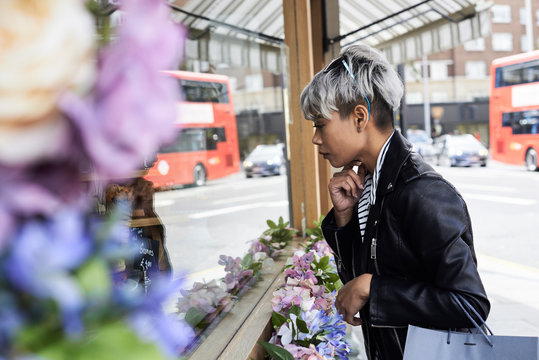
503	202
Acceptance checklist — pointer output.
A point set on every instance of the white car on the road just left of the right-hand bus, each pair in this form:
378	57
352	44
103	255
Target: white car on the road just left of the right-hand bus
460	150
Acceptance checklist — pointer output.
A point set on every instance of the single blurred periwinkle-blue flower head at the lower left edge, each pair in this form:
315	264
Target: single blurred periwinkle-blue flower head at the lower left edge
40	261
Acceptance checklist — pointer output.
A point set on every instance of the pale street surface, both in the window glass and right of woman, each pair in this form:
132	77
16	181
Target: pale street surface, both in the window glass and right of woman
223	216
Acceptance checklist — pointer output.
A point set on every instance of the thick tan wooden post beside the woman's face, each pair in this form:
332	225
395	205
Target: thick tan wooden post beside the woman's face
307	23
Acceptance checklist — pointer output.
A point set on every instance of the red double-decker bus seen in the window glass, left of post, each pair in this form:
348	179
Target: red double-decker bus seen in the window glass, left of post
207	143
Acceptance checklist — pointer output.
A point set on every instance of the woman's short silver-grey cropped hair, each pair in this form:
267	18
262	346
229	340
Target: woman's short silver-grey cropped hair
335	90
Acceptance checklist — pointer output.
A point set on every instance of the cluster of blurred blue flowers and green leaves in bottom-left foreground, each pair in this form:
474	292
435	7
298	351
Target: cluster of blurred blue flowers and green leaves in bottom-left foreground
56	285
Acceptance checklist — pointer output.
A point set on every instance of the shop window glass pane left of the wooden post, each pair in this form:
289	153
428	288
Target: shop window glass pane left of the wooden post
210	189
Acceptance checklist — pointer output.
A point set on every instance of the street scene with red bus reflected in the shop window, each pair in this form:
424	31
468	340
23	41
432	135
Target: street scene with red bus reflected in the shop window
230	91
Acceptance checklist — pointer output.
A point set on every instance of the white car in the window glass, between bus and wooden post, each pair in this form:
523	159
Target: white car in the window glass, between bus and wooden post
265	160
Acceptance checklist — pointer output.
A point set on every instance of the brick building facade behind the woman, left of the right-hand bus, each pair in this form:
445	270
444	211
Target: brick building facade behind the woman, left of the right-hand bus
459	79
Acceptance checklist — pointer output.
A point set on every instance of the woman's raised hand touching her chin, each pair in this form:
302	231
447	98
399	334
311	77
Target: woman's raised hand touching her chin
345	188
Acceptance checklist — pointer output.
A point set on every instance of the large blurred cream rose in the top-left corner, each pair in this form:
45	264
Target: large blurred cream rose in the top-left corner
47	47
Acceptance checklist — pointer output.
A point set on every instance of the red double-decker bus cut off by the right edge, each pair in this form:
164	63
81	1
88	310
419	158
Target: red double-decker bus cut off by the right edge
514	110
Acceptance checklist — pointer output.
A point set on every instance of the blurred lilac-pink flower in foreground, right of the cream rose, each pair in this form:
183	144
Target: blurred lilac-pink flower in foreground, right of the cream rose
133	109
